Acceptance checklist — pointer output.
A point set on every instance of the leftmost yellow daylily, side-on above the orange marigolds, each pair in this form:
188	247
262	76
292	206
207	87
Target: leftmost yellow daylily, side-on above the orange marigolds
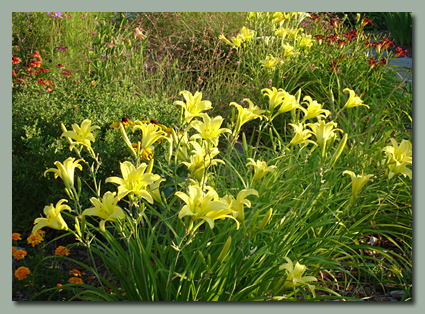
53	218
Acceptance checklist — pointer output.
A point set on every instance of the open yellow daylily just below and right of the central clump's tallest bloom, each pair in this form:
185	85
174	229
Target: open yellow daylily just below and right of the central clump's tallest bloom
209	130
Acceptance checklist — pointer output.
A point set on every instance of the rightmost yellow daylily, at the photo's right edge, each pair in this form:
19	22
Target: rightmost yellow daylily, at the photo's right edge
398	158
